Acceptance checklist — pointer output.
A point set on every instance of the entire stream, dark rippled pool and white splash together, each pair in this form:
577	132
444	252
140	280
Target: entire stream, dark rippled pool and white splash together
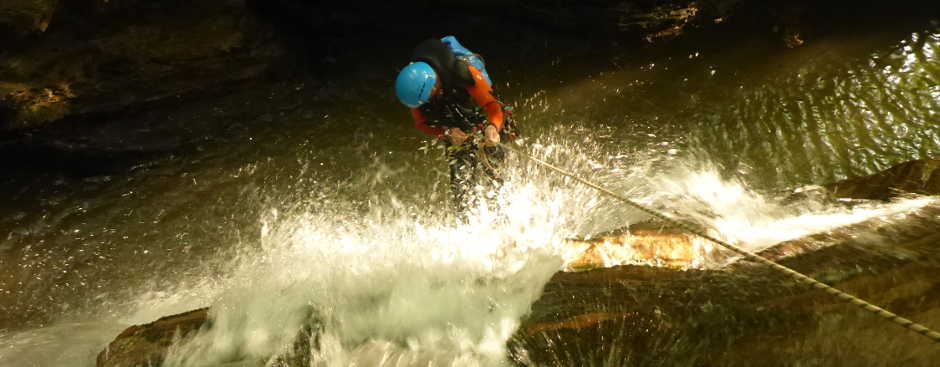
337	211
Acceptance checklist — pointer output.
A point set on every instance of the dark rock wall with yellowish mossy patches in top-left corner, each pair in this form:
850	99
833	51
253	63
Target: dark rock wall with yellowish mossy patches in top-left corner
130	54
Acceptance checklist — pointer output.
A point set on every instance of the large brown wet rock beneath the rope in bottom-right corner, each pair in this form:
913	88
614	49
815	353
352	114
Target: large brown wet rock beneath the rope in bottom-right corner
639	315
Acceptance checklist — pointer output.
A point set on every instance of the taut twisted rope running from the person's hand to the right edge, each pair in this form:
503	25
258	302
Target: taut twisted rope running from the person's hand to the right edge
880	312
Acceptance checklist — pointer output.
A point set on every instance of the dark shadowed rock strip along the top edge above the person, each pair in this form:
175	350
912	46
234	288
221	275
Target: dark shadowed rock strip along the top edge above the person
637	19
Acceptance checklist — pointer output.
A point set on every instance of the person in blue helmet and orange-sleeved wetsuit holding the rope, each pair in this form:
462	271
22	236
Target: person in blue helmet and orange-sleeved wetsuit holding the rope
450	95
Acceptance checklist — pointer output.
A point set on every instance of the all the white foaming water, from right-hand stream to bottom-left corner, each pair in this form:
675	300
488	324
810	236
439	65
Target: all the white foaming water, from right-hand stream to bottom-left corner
392	286
